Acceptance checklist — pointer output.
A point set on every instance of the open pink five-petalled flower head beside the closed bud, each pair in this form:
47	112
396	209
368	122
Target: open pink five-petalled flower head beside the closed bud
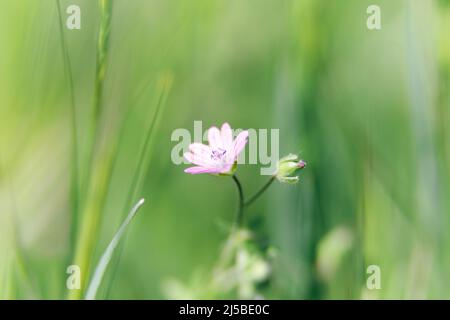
221	154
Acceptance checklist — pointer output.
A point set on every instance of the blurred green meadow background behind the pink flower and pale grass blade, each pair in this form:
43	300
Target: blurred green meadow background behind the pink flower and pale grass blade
368	110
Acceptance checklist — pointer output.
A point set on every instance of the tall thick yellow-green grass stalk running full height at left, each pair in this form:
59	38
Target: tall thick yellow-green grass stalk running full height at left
100	160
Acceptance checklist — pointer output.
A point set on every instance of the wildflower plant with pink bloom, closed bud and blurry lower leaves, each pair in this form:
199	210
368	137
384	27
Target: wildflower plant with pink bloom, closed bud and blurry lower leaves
241	267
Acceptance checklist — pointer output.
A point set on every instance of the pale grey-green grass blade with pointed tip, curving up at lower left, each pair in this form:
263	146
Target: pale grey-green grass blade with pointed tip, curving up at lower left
107	255
